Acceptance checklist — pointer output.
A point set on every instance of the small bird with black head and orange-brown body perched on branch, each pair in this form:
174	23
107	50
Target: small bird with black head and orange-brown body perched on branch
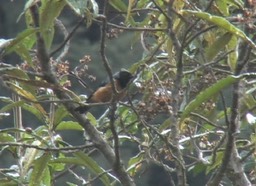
104	93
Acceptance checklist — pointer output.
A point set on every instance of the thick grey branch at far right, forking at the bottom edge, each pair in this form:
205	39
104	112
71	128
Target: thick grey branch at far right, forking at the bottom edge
231	160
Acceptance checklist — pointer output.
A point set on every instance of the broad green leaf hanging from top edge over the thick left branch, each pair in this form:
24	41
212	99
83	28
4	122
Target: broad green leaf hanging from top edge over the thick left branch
49	11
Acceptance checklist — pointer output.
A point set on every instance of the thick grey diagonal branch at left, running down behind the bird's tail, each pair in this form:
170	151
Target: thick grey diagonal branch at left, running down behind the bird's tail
92	132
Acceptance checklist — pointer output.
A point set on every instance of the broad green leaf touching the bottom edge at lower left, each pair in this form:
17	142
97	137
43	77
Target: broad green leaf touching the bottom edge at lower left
40	173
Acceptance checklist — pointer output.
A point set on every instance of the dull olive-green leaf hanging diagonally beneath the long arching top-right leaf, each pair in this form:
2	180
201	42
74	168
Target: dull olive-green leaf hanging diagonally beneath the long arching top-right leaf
218	46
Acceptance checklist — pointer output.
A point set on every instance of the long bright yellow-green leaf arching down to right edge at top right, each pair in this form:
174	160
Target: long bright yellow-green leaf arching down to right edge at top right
222	23
